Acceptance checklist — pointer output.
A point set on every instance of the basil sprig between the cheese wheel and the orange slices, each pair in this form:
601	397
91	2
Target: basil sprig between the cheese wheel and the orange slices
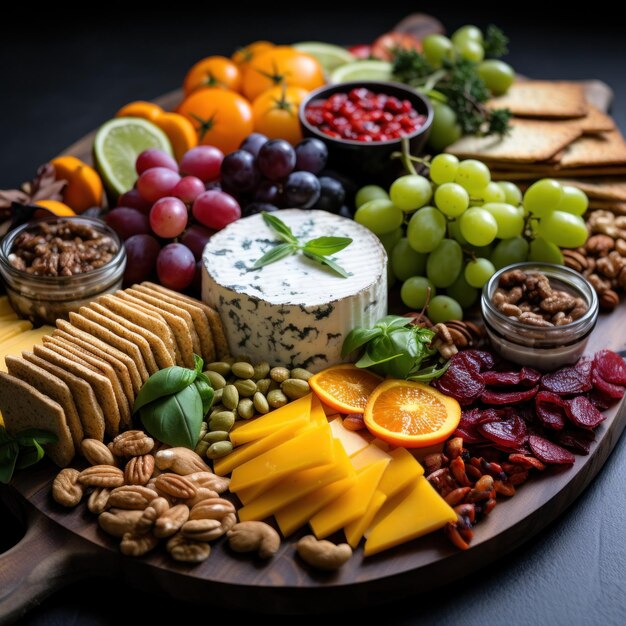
394	347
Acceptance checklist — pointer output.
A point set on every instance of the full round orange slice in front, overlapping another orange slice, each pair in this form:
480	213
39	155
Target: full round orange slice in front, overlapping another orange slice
412	415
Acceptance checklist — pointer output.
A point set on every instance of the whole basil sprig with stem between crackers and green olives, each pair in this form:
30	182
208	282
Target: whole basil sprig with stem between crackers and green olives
173	402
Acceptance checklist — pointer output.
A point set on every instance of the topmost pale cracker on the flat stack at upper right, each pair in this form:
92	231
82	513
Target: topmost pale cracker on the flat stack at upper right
543	99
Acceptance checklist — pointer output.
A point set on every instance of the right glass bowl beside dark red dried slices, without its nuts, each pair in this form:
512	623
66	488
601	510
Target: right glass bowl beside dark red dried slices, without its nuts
545	349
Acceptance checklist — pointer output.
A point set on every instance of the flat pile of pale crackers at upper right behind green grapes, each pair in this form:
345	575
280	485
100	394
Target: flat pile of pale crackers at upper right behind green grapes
556	132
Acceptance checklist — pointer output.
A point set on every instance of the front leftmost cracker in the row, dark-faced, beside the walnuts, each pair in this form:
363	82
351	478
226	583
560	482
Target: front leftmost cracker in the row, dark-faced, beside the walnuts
24	407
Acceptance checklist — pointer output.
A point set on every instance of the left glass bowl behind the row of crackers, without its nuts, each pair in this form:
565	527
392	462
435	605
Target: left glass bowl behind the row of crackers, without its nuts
44	299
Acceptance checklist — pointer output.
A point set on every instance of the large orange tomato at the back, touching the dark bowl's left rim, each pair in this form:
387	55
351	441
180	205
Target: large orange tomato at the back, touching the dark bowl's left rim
282	65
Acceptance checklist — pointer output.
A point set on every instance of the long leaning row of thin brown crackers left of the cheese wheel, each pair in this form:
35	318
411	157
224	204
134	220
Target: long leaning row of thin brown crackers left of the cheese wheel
82	381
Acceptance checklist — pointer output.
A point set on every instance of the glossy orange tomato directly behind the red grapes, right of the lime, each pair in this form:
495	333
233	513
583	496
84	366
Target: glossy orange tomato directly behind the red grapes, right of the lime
222	118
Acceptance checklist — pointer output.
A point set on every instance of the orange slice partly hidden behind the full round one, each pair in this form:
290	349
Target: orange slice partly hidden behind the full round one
344	387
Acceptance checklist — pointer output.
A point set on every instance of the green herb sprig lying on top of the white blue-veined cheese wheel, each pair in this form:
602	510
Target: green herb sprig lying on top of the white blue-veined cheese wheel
318	249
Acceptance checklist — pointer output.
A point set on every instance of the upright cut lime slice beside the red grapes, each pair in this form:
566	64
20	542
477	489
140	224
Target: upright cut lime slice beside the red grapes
117	145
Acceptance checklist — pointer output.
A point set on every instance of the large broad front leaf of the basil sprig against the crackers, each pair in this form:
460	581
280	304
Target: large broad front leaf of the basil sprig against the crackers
176	419
